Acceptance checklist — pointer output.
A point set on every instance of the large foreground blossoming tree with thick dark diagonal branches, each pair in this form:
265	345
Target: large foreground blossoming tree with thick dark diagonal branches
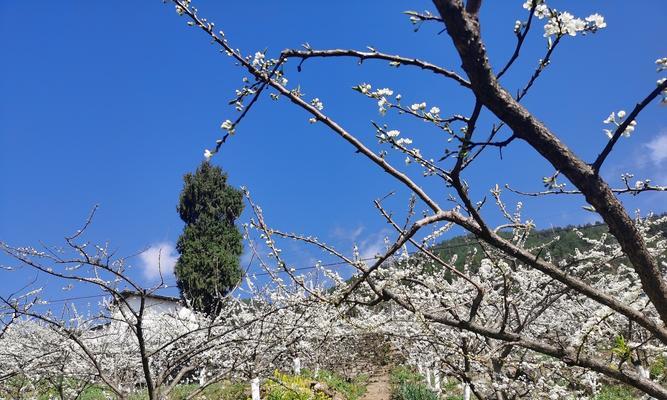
588	280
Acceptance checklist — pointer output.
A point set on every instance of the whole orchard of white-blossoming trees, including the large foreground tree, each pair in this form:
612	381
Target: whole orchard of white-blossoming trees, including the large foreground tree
520	323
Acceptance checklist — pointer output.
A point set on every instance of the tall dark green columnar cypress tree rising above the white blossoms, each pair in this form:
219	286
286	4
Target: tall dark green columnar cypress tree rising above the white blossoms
211	244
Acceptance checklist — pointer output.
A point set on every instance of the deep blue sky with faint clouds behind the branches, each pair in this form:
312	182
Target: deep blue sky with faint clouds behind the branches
111	103
